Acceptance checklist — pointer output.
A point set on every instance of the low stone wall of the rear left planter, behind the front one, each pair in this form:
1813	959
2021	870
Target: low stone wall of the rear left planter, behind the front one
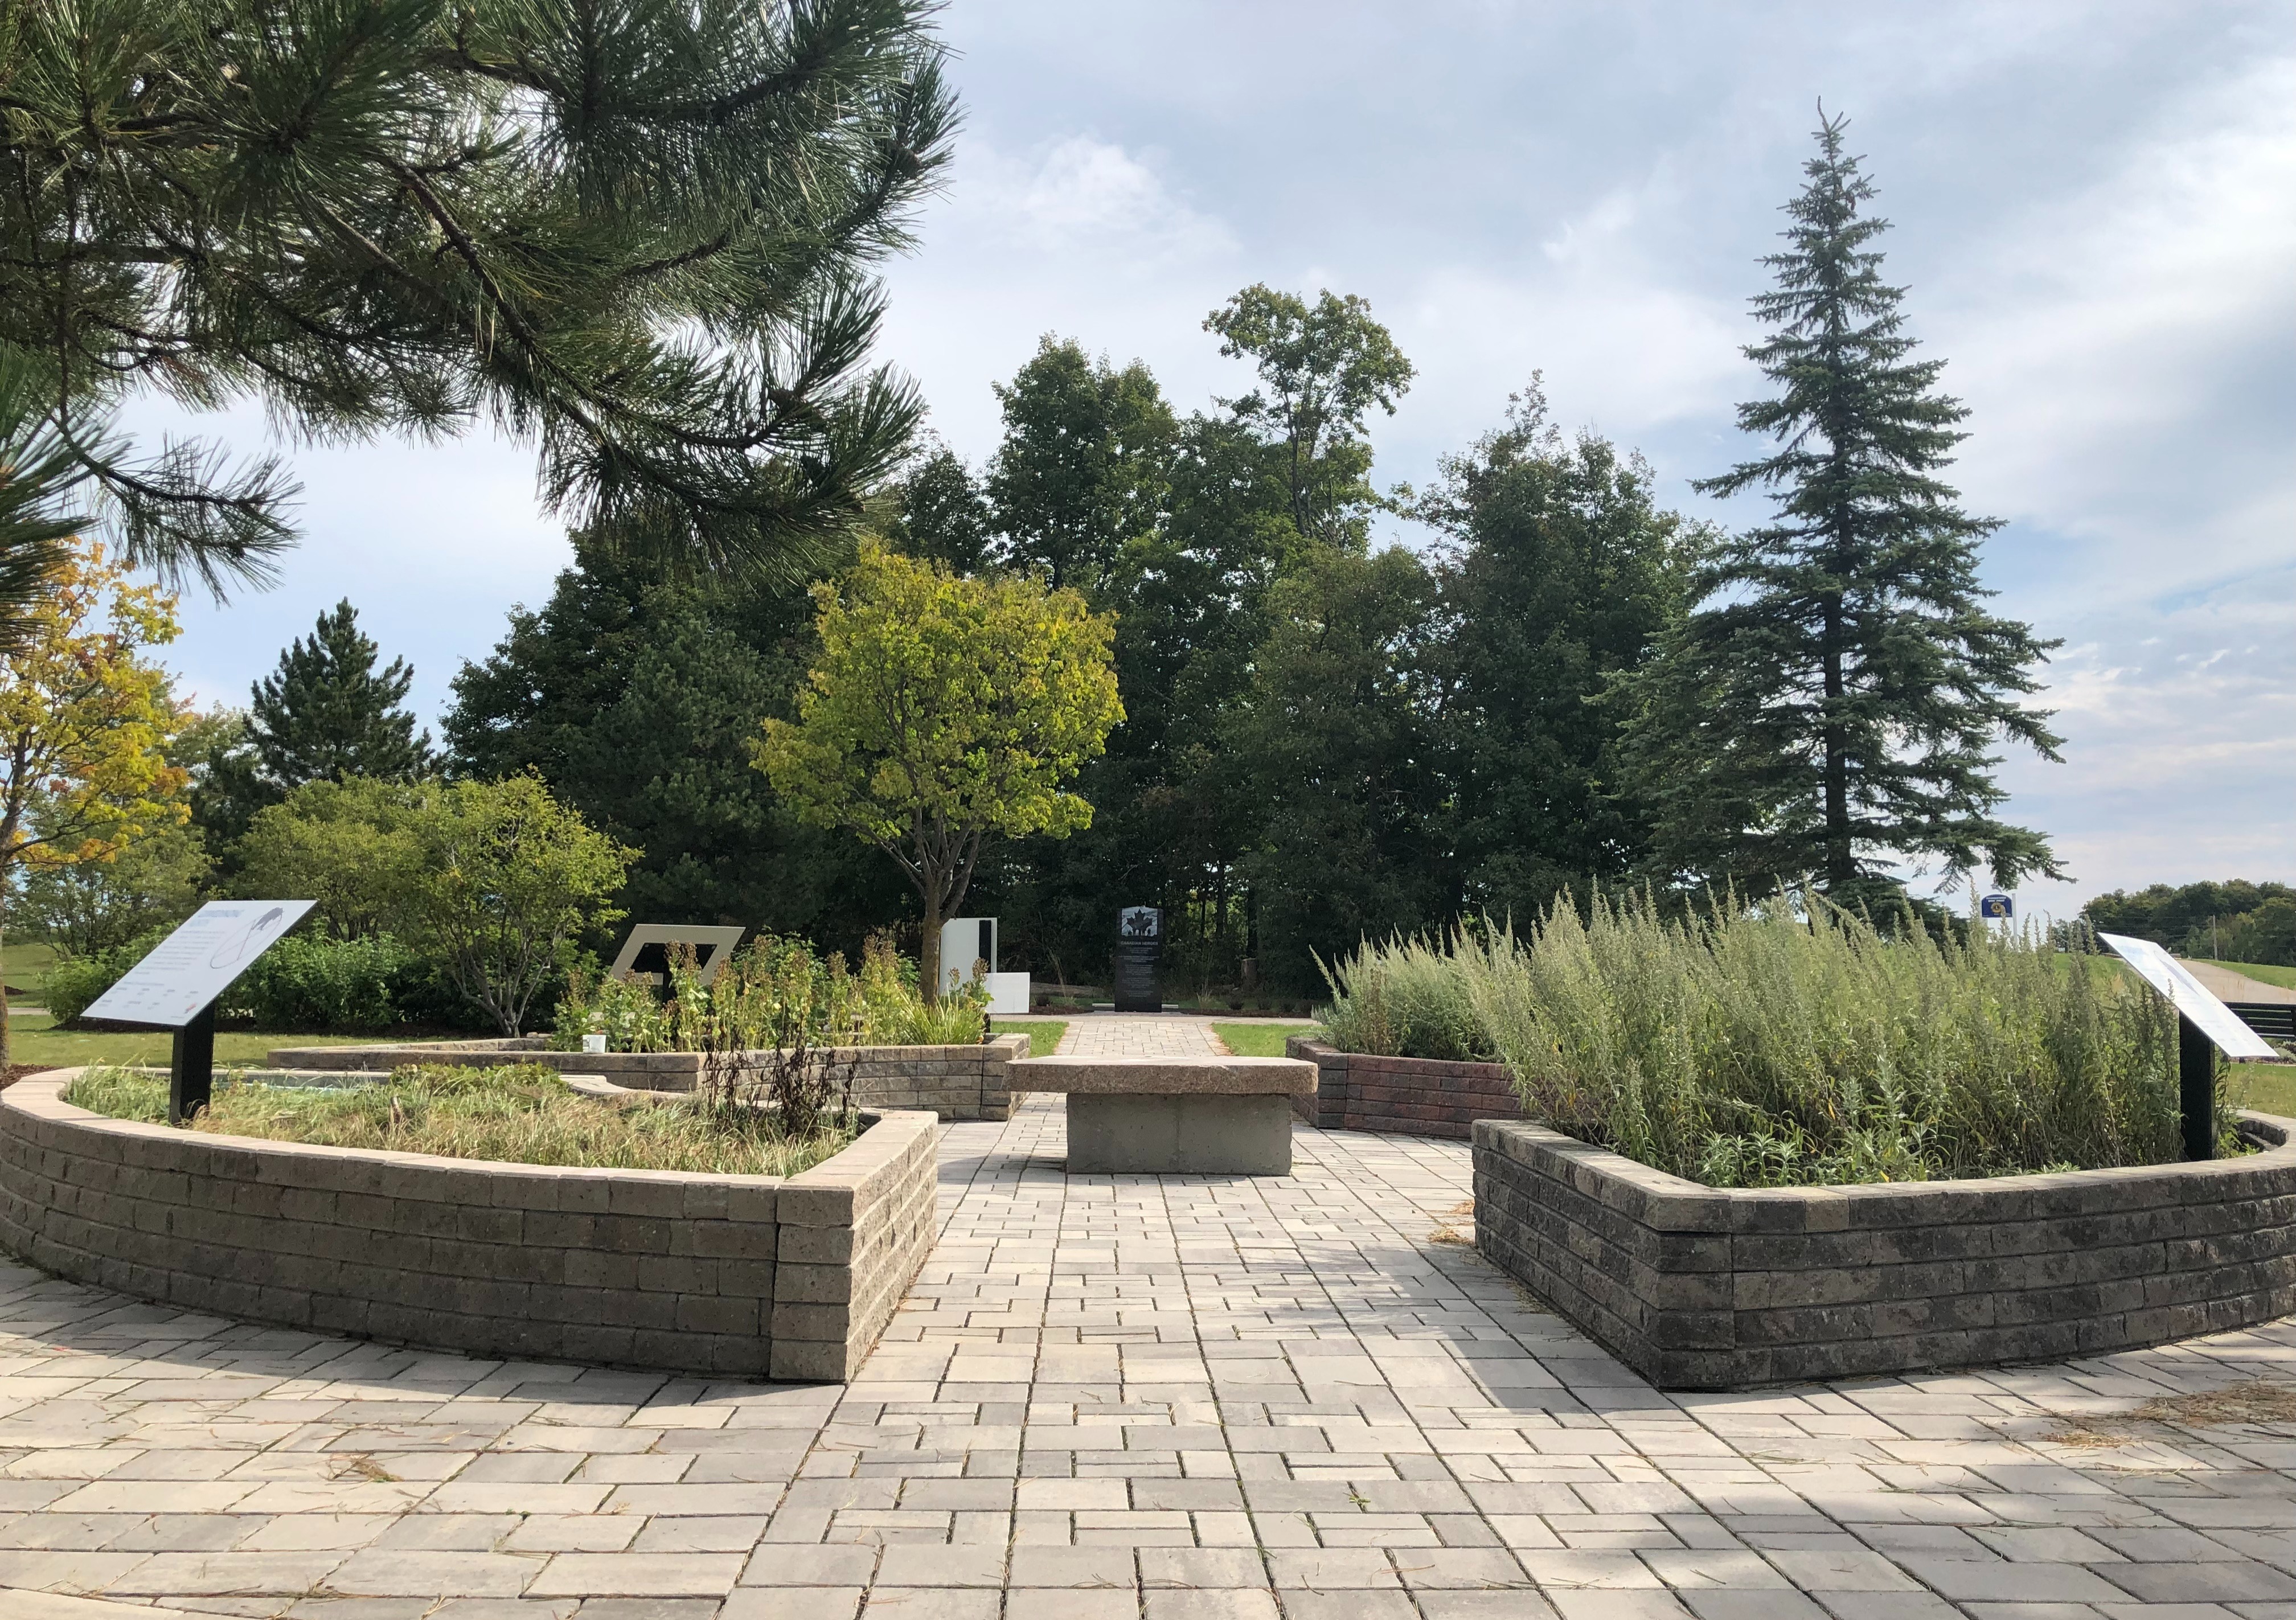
954	1082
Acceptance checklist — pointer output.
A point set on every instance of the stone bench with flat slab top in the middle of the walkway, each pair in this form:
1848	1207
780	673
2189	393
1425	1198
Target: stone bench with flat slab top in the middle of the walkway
1174	1116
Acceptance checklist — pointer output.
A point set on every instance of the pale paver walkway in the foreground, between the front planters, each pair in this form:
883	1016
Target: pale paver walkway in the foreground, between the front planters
1181	1399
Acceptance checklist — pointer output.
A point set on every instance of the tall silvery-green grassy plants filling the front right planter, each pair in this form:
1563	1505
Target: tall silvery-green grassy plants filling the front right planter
1794	1043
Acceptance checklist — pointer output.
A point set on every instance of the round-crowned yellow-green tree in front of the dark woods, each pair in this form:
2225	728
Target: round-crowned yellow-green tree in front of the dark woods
945	710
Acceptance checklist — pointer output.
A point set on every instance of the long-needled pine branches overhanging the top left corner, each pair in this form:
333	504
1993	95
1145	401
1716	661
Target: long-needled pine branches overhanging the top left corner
639	237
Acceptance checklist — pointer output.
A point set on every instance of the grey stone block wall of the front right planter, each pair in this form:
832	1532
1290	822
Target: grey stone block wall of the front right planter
1721	1288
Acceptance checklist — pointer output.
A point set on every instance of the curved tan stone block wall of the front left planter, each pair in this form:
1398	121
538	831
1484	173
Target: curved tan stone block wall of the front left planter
734	1275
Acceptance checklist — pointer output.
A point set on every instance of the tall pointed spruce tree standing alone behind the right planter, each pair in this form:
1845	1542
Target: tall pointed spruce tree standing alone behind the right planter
1836	701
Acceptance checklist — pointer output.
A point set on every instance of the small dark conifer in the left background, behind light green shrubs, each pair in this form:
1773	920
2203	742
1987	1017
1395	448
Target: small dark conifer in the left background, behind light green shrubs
332	715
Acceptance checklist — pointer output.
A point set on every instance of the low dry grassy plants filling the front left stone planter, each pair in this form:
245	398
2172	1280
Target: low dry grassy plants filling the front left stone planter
515	1114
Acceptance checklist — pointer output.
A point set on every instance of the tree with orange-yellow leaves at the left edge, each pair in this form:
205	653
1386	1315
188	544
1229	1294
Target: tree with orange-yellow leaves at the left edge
84	726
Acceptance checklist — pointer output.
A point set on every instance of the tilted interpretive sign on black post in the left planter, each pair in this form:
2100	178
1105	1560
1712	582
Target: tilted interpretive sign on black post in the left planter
178	983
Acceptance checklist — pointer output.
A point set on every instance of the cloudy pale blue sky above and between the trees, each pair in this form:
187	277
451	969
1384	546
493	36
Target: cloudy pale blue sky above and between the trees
2095	215
